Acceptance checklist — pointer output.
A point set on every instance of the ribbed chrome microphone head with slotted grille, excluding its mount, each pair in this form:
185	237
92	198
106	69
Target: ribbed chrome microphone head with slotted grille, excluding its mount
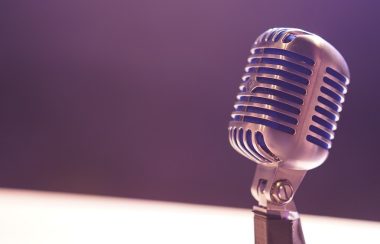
290	99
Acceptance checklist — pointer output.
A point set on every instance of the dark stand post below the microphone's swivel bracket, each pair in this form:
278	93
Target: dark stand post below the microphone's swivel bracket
272	229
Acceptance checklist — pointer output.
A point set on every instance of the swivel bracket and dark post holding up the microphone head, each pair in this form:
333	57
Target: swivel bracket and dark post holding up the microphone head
276	220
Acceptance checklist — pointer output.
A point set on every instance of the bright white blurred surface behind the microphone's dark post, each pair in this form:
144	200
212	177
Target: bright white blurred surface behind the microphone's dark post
54	218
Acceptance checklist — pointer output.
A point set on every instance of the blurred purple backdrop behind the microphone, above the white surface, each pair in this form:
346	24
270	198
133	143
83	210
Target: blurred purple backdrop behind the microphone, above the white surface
132	99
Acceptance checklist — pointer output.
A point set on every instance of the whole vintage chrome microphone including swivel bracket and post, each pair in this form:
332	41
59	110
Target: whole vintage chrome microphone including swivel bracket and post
284	120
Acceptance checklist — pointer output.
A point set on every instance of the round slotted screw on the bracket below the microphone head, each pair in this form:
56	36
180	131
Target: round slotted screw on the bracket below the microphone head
282	192
